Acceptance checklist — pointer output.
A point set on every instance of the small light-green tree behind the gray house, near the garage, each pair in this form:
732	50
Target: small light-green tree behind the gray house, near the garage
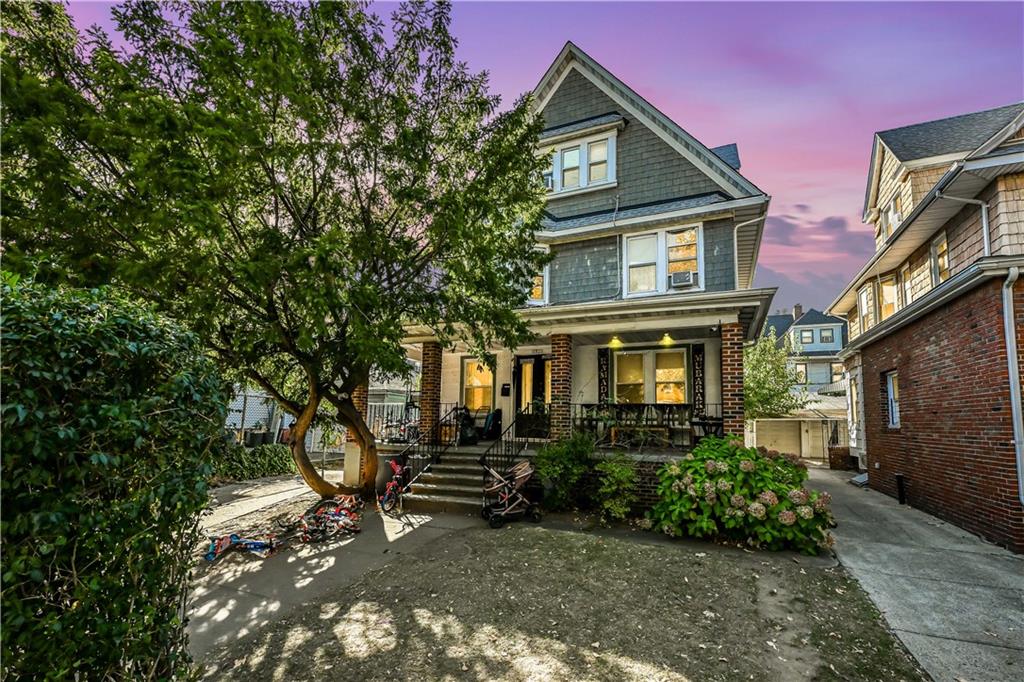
772	386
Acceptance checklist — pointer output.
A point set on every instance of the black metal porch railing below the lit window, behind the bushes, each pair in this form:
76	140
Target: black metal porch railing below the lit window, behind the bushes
646	424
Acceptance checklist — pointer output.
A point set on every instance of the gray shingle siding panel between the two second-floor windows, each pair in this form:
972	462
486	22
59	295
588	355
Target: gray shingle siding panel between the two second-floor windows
585	272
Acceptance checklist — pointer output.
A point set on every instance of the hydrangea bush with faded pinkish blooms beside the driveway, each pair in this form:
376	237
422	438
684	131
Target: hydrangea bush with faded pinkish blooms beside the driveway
752	495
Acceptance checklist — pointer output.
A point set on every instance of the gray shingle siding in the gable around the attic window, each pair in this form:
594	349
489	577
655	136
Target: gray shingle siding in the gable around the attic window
648	168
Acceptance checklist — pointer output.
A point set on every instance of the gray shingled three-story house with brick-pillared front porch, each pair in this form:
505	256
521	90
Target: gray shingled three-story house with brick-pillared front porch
644	312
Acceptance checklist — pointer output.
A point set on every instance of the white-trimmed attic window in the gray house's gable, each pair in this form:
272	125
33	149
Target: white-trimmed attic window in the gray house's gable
582	164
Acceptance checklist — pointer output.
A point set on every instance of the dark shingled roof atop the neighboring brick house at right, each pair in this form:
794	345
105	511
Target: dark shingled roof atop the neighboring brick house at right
959	134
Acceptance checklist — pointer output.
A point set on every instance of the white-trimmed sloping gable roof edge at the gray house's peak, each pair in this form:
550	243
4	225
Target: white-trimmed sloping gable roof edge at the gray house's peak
572	58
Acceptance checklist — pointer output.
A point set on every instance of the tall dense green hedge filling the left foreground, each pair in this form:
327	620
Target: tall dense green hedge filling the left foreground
109	416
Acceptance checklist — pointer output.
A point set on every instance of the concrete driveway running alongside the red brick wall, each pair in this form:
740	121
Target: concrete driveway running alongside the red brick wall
956	602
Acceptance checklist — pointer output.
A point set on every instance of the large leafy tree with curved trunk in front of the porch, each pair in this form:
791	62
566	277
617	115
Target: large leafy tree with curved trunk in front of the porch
295	182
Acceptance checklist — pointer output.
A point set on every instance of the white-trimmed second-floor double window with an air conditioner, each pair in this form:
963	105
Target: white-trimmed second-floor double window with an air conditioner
651	260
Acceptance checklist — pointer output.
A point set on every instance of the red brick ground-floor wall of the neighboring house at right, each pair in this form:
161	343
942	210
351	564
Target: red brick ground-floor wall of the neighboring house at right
955	443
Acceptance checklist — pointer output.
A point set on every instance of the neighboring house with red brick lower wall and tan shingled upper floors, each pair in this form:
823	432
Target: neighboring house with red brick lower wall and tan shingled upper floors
936	322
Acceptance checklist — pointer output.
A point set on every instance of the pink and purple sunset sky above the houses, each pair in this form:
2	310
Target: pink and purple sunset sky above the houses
800	88
